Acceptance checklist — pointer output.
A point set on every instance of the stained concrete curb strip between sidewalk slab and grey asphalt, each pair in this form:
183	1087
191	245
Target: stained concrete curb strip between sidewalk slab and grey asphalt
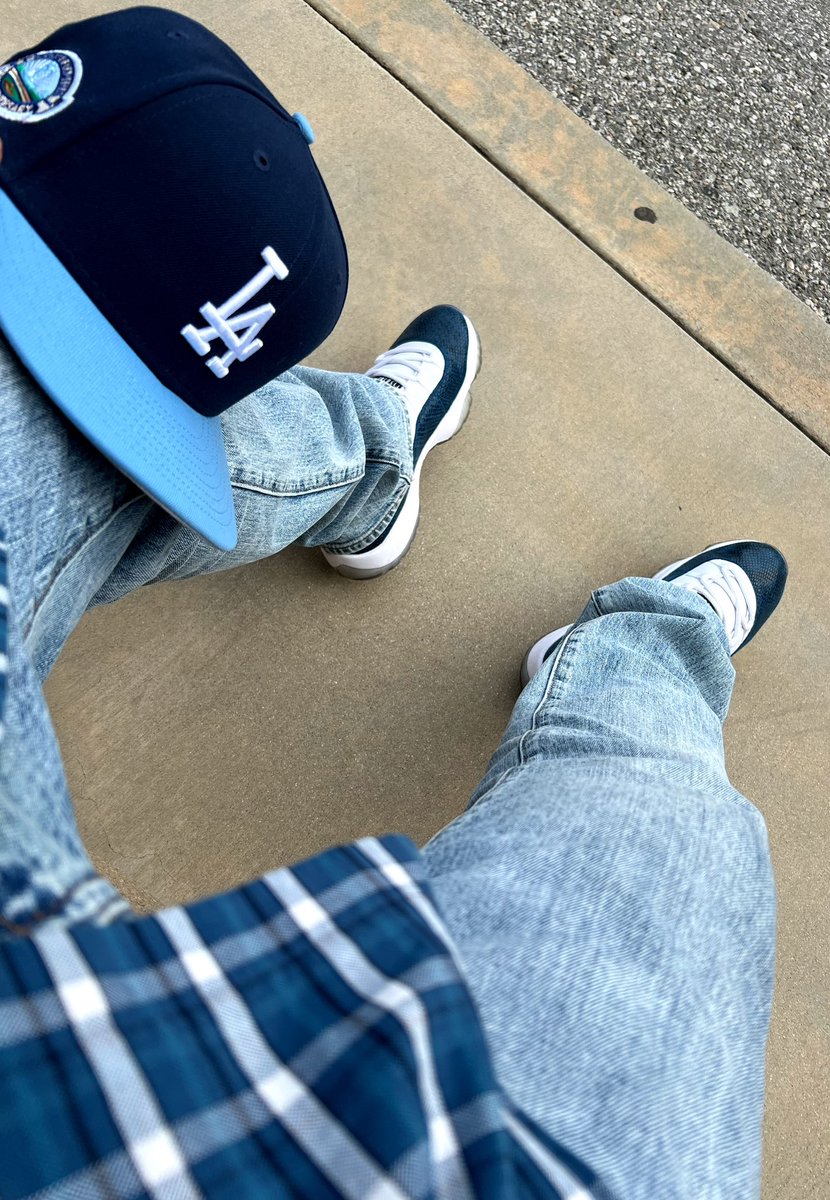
725	302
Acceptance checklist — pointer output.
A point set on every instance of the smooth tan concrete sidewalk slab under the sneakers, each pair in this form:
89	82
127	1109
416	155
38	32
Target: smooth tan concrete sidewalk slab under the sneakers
216	729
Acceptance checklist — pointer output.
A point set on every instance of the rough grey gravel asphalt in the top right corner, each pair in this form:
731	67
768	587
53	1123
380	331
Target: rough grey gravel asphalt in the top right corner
726	105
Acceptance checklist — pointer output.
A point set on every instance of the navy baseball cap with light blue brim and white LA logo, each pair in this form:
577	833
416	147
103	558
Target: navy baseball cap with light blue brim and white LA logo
167	245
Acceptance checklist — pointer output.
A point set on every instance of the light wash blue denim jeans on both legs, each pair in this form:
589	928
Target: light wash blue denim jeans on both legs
611	895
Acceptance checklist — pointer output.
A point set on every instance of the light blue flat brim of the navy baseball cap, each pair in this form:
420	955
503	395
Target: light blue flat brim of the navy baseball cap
175	454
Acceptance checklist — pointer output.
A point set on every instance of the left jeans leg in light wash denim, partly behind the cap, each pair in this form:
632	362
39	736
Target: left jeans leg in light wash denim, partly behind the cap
316	458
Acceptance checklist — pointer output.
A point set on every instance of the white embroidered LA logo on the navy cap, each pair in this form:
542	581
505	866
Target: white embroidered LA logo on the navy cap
222	323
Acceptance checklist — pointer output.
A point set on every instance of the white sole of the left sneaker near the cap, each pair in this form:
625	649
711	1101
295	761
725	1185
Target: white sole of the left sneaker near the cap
369	565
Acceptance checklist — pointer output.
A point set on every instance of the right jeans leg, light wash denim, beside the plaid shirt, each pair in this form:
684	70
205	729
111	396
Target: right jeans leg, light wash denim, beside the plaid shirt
614	903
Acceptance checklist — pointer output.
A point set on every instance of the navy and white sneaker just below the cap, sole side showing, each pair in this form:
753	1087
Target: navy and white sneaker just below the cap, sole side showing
432	365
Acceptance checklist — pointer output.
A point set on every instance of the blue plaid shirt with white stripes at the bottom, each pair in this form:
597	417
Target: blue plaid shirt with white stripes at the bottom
309	1035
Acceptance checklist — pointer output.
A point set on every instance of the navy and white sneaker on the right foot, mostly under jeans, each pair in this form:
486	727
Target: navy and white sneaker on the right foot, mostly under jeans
743	581
